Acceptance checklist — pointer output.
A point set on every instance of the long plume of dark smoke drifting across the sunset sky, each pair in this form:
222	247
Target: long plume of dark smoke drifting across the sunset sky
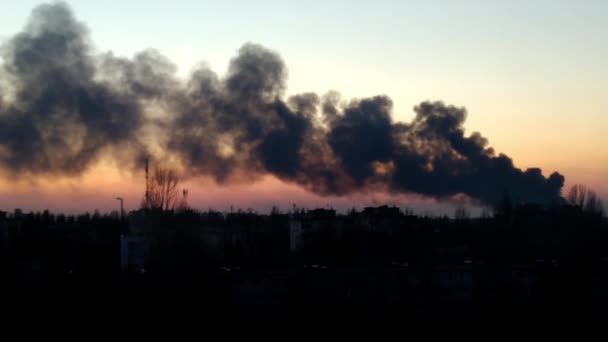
66	106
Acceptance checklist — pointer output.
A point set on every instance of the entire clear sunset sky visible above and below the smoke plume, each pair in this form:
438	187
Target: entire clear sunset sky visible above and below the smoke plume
532	75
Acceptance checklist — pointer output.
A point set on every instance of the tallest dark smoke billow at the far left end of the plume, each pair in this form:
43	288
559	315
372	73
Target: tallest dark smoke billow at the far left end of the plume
60	118
